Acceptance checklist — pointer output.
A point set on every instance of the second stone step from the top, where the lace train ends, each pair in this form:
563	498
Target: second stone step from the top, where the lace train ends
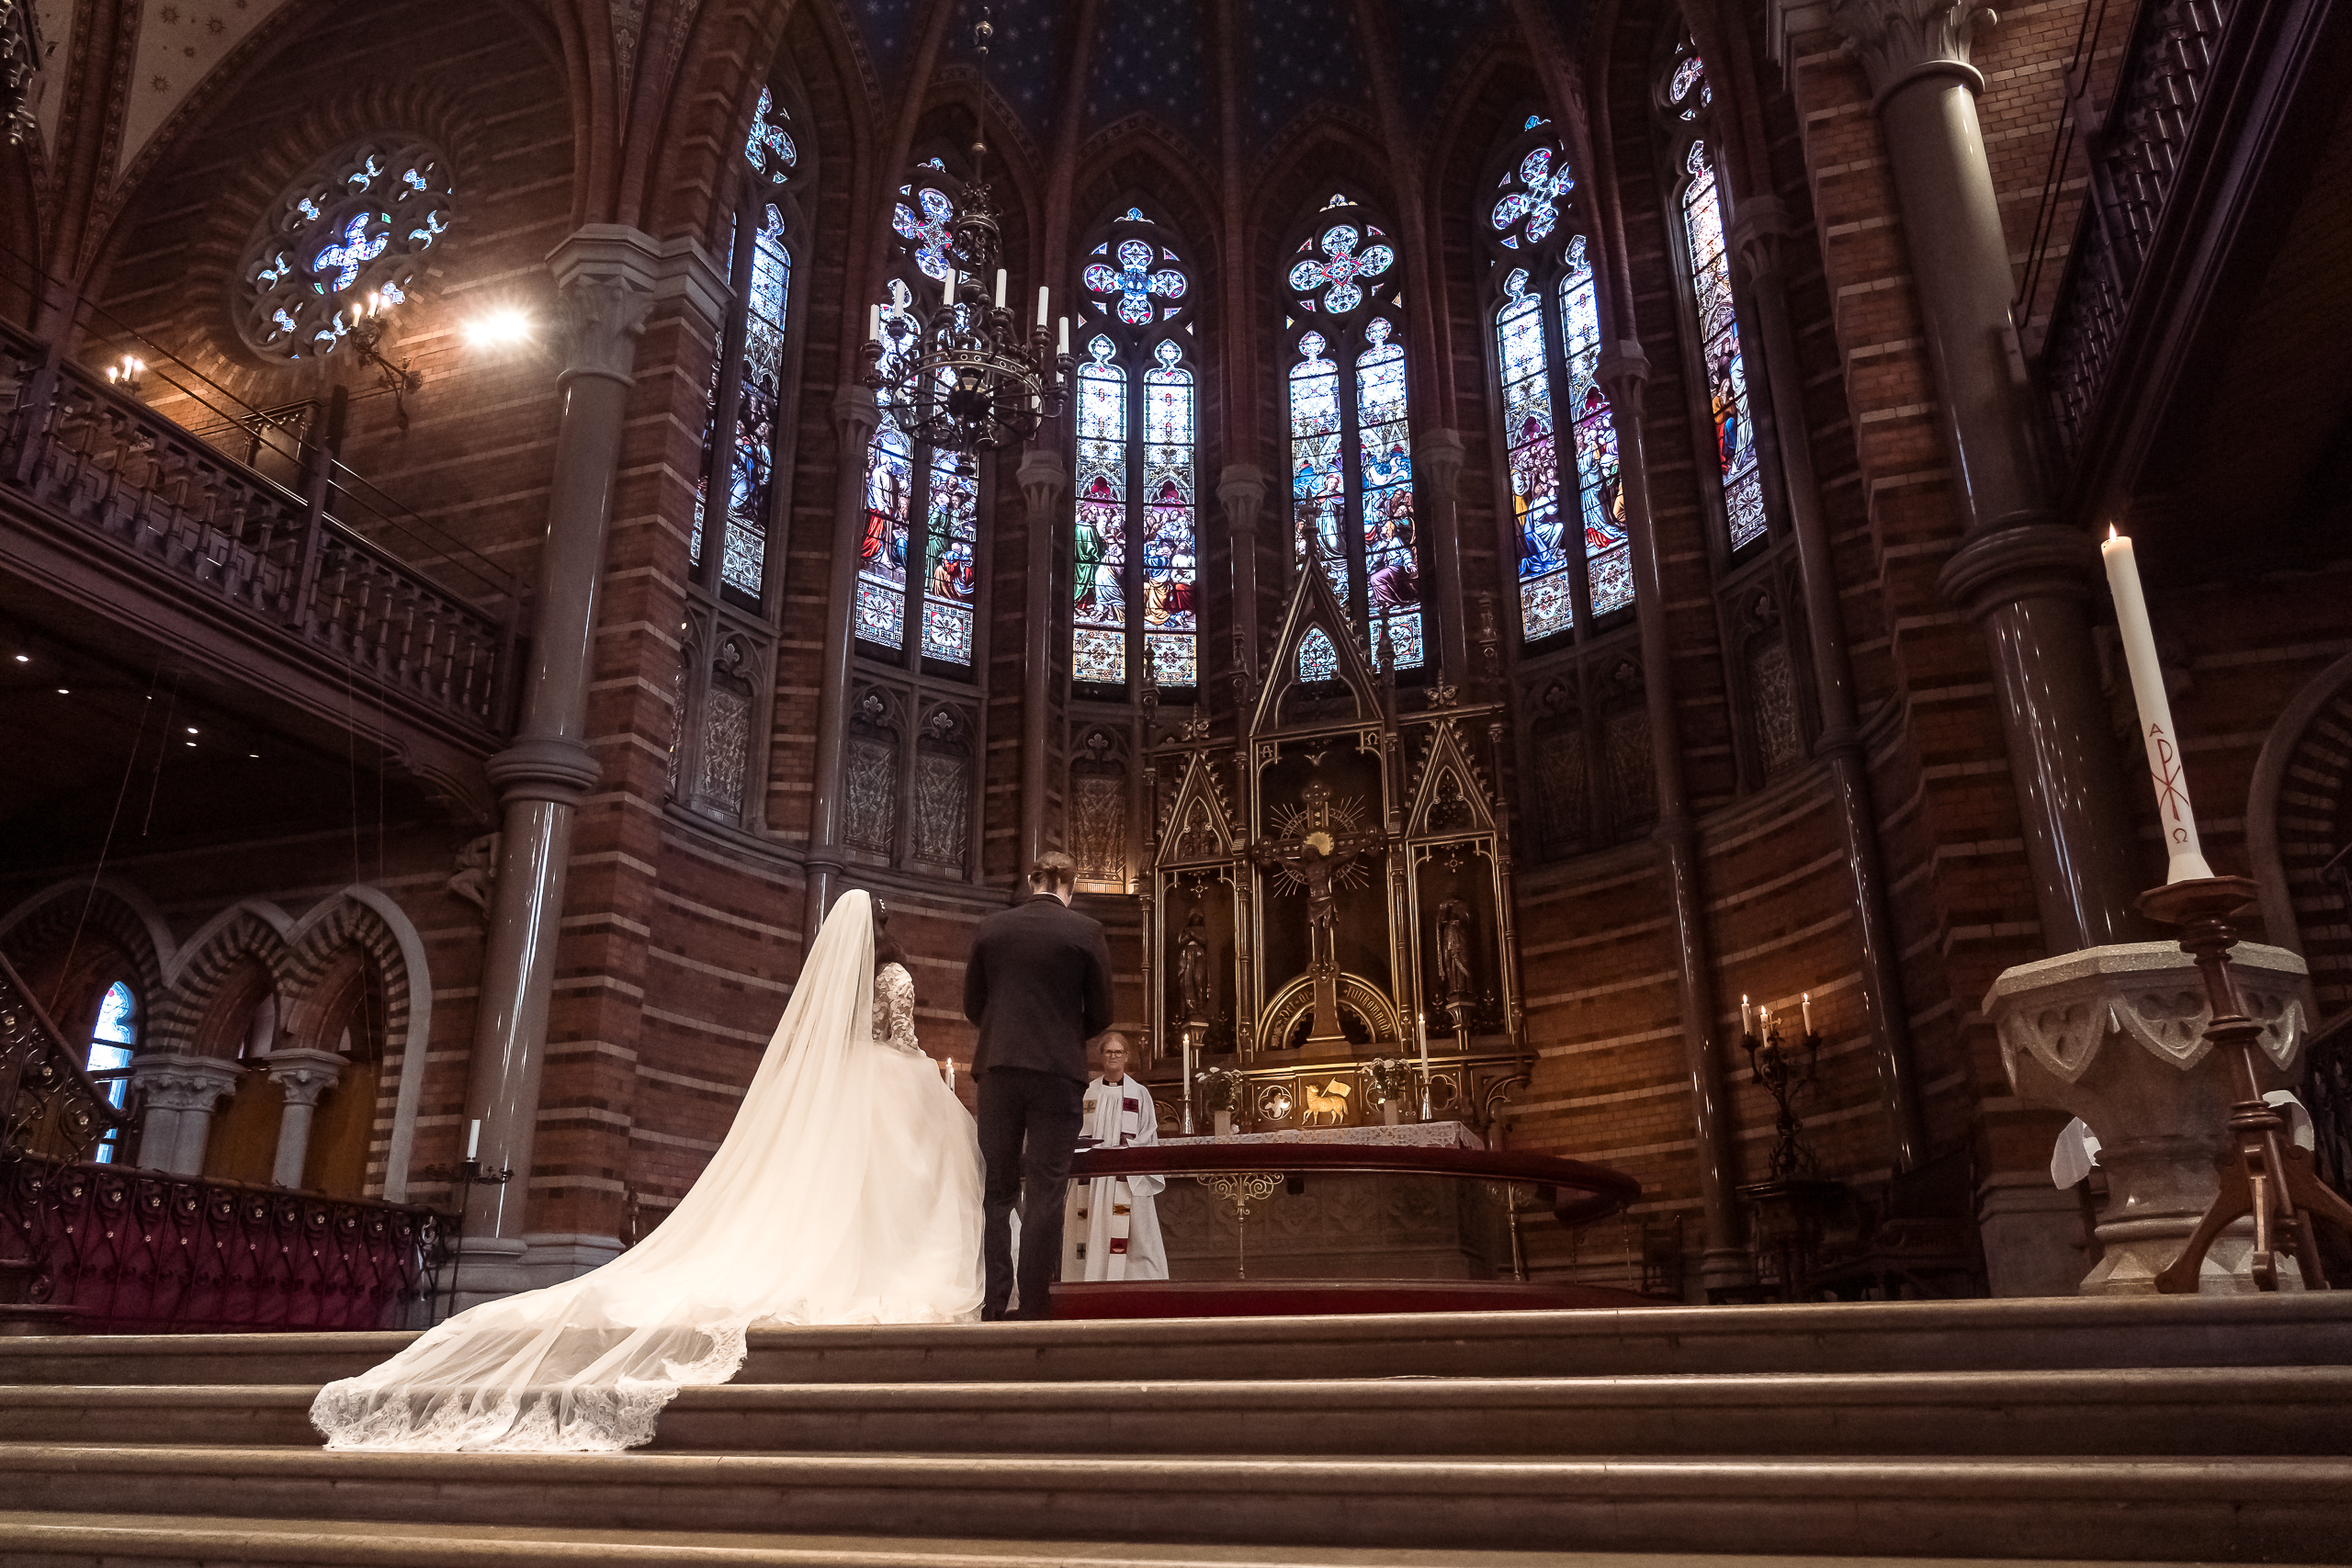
2139	1412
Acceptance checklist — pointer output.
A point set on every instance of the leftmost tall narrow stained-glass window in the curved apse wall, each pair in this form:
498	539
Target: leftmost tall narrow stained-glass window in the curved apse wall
744	427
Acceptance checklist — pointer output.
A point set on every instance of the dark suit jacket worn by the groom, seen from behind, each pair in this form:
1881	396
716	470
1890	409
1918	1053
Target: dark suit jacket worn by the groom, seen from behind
1038	986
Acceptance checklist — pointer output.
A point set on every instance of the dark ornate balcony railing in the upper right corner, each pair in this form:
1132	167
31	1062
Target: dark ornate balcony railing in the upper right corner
2134	163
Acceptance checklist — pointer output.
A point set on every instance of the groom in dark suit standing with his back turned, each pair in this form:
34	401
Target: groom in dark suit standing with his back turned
1038	986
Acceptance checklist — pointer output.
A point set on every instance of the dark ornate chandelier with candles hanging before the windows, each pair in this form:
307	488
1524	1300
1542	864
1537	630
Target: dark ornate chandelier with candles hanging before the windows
958	373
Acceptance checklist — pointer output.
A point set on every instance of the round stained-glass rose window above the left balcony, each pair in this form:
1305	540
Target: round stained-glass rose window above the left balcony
356	227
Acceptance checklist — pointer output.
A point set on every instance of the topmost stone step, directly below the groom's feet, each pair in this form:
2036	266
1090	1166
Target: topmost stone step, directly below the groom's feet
1805	1339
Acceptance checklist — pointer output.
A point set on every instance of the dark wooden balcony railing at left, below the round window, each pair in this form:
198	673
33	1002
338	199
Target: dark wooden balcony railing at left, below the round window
290	561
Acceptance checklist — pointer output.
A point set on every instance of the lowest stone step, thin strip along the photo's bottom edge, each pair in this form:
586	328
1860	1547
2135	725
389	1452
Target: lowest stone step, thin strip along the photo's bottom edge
83	1541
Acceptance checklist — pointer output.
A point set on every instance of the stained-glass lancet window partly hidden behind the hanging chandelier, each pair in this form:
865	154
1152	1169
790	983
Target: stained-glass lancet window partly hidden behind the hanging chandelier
918	556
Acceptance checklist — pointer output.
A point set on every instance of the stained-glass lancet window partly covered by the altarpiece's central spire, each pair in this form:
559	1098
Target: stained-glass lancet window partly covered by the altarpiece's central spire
1351	434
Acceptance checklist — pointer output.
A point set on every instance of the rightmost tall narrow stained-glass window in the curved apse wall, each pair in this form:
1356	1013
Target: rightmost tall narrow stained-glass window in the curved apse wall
1688	107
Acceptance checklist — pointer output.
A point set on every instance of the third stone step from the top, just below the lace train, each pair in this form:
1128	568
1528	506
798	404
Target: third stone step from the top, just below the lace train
2066	1508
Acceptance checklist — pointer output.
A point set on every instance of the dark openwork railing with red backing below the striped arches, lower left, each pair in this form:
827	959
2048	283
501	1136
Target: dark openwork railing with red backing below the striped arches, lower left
116	1249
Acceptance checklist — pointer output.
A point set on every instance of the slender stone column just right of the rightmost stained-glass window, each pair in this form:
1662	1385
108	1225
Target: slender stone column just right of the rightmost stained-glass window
1758	241
